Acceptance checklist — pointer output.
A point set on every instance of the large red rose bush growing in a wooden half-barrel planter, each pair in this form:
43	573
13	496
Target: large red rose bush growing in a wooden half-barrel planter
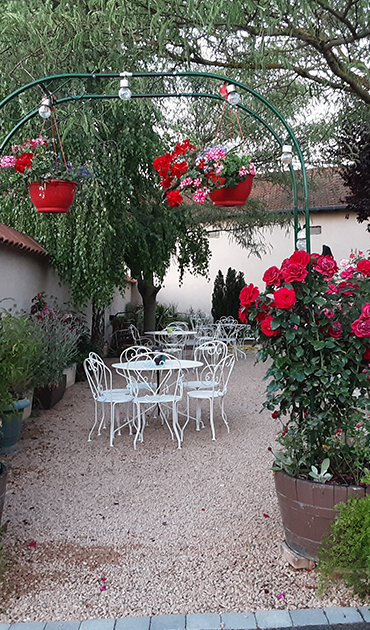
313	324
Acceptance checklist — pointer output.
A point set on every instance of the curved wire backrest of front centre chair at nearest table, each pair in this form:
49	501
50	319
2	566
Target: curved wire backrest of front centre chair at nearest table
147	380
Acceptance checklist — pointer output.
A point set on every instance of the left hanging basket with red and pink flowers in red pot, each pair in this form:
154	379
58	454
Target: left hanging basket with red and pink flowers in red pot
51	181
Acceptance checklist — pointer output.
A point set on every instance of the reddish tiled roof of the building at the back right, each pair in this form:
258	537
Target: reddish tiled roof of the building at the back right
325	190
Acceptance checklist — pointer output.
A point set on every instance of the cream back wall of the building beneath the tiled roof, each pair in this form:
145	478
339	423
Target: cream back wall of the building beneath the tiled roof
338	232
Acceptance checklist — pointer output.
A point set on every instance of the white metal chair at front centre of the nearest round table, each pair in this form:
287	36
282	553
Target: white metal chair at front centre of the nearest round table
157	388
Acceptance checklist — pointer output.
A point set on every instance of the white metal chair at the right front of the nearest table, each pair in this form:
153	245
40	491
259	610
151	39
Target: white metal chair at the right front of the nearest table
220	378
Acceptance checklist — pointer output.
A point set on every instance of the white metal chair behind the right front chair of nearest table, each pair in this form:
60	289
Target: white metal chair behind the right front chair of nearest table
209	354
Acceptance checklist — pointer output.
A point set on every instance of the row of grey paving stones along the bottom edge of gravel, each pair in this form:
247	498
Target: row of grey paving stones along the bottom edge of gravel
309	618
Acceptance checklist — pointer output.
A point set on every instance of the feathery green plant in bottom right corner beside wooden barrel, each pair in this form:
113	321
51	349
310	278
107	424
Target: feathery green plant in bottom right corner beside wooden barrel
345	552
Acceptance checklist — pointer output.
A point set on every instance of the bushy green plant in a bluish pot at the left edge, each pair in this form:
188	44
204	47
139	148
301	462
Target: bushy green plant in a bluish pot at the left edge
19	352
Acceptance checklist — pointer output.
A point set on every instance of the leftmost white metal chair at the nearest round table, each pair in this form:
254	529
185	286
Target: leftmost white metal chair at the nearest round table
99	378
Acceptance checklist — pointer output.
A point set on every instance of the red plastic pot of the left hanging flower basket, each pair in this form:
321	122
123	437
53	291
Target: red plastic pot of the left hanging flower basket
55	195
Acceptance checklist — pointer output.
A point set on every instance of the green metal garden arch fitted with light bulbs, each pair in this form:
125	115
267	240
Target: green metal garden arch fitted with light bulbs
98	76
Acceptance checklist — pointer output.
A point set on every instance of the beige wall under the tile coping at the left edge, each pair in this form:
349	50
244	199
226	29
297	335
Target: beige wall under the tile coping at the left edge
23	275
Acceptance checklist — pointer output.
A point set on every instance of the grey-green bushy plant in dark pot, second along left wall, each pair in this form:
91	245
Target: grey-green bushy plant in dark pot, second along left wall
59	335
